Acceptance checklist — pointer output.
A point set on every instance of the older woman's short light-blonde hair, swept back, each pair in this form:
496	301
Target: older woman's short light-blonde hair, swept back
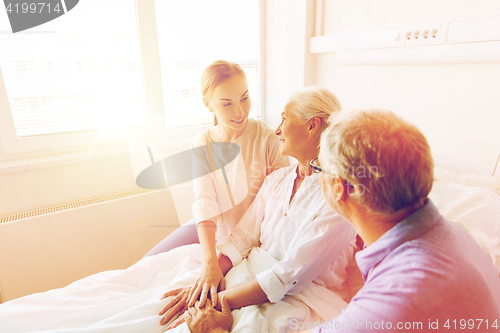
313	102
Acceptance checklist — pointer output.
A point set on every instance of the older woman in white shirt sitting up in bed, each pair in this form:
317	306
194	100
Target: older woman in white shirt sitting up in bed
289	219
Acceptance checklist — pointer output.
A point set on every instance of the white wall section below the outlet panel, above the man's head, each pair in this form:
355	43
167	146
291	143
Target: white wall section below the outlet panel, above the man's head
455	106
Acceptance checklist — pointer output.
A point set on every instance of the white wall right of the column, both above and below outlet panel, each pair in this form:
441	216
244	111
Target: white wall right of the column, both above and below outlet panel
457	106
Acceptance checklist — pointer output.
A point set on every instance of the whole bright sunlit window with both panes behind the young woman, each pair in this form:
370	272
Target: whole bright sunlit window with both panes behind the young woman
93	69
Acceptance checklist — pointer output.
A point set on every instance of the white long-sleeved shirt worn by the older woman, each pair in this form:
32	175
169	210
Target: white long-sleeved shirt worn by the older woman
310	241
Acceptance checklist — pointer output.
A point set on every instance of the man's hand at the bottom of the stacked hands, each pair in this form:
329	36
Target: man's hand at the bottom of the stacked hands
208	319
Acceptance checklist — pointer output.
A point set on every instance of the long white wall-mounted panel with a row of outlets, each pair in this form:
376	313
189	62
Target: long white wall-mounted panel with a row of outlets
432	42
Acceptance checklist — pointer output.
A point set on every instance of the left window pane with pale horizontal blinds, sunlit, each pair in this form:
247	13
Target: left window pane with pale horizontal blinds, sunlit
78	72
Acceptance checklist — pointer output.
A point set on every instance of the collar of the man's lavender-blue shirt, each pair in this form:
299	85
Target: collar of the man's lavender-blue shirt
410	228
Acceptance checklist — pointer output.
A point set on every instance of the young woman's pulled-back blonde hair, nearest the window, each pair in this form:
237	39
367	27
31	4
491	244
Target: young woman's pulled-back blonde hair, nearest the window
215	74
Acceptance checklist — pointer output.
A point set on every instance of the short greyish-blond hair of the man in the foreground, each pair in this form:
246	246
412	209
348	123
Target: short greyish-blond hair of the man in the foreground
385	158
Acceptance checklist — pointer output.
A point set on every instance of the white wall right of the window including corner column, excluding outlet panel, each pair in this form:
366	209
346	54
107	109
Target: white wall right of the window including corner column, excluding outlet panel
455	105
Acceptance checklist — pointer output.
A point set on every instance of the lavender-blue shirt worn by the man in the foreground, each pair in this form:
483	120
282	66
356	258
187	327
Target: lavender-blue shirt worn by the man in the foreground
426	274
